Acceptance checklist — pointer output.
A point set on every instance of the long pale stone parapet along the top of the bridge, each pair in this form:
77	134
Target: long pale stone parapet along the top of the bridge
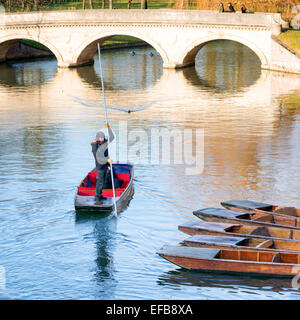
162	16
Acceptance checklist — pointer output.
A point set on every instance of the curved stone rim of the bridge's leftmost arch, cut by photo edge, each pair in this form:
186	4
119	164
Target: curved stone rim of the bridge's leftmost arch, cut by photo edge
7	42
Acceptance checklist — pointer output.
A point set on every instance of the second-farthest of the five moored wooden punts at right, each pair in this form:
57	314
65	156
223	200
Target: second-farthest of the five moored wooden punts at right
248	218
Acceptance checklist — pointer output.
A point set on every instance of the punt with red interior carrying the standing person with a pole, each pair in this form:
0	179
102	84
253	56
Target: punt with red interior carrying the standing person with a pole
85	196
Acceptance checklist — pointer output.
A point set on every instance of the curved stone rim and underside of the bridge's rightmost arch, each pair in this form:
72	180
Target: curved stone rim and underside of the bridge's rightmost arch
188	55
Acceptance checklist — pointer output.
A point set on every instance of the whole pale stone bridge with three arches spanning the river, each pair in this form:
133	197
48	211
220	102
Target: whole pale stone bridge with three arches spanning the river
177	35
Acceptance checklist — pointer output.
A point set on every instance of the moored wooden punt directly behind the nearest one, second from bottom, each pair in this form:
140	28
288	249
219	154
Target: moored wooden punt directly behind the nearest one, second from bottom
242	243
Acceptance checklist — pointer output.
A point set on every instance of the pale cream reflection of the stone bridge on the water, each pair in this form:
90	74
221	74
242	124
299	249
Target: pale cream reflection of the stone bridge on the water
185	95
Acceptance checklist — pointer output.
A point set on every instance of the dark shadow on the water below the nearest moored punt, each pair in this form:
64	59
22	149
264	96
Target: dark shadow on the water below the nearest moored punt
183	277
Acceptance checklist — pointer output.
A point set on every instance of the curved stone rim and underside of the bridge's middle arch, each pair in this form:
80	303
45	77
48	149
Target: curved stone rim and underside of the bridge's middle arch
84	54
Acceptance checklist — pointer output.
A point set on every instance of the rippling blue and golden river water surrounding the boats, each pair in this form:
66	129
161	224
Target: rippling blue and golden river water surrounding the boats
248	121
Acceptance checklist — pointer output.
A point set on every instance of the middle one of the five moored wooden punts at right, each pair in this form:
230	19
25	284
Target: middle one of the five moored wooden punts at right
226	229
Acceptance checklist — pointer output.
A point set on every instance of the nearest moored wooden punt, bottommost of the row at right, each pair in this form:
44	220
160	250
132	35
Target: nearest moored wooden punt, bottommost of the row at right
233	261
